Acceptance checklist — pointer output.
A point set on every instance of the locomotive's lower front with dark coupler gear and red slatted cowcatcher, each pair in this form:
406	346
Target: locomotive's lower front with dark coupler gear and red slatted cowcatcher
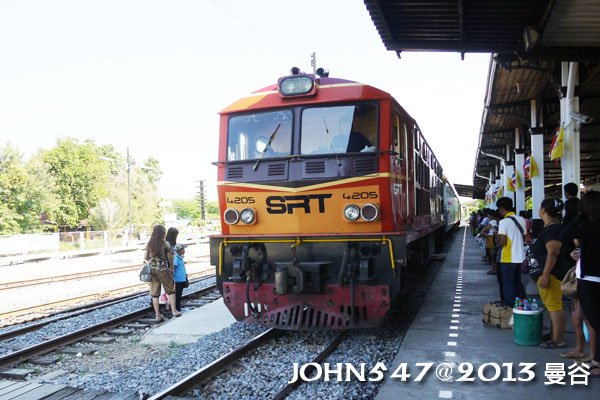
314	283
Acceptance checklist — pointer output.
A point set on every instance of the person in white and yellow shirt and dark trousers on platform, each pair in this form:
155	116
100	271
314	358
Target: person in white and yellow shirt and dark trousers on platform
511	230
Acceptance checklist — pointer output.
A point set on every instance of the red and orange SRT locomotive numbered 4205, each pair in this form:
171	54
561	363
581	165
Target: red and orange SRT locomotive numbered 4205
327	191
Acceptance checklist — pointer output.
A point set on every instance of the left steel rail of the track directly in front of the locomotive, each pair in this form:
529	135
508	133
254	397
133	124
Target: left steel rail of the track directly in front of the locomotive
217	366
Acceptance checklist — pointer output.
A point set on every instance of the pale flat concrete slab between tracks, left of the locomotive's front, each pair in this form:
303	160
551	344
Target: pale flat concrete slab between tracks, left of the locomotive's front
192	325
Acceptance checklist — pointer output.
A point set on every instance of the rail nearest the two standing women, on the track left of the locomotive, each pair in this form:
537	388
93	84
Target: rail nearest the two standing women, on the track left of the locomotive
53	344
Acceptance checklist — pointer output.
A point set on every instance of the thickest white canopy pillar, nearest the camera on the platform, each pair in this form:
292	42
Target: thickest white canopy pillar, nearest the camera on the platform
570	162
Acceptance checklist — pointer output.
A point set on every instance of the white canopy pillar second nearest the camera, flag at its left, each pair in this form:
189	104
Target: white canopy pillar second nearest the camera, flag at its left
537	153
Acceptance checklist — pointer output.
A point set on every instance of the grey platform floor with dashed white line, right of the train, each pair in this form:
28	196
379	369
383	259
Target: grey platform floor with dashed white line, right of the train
448	329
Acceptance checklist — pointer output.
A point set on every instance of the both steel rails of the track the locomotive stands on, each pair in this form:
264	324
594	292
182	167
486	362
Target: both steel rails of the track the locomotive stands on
204	374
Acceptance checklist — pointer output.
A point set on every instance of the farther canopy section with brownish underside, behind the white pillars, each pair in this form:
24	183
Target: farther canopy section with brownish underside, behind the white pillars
508	106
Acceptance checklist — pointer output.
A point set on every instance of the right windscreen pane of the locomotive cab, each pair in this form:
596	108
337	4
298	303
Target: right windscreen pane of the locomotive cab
339	129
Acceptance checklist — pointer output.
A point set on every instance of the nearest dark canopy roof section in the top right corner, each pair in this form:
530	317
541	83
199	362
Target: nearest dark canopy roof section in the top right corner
566	30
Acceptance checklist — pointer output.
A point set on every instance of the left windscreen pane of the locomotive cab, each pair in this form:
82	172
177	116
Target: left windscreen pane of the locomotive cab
261	135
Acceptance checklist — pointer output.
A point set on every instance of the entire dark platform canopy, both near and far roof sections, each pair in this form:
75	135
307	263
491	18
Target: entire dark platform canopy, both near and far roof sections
528	40
